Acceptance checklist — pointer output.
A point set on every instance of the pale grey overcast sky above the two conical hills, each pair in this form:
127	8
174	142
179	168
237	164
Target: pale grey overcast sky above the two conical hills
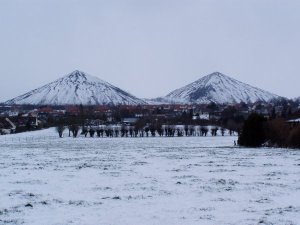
150	47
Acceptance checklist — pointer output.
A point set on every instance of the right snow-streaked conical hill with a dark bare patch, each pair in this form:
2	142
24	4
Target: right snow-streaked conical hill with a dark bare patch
218	88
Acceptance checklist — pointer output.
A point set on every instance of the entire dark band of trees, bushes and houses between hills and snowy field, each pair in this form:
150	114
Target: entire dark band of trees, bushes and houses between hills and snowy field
257	124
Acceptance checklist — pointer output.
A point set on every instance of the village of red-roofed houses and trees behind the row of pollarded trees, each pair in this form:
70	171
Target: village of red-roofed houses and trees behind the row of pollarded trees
20	118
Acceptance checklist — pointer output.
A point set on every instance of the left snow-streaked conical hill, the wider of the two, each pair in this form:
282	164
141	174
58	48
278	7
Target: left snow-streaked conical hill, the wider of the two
74	89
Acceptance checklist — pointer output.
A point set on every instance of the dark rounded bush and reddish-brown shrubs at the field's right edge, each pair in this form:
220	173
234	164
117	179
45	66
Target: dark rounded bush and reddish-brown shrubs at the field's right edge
258	131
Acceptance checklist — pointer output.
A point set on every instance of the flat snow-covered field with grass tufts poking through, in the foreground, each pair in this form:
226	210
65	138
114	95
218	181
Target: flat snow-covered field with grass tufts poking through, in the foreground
117	181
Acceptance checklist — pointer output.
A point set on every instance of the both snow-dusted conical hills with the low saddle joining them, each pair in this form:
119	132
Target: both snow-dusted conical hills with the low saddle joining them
81	88
